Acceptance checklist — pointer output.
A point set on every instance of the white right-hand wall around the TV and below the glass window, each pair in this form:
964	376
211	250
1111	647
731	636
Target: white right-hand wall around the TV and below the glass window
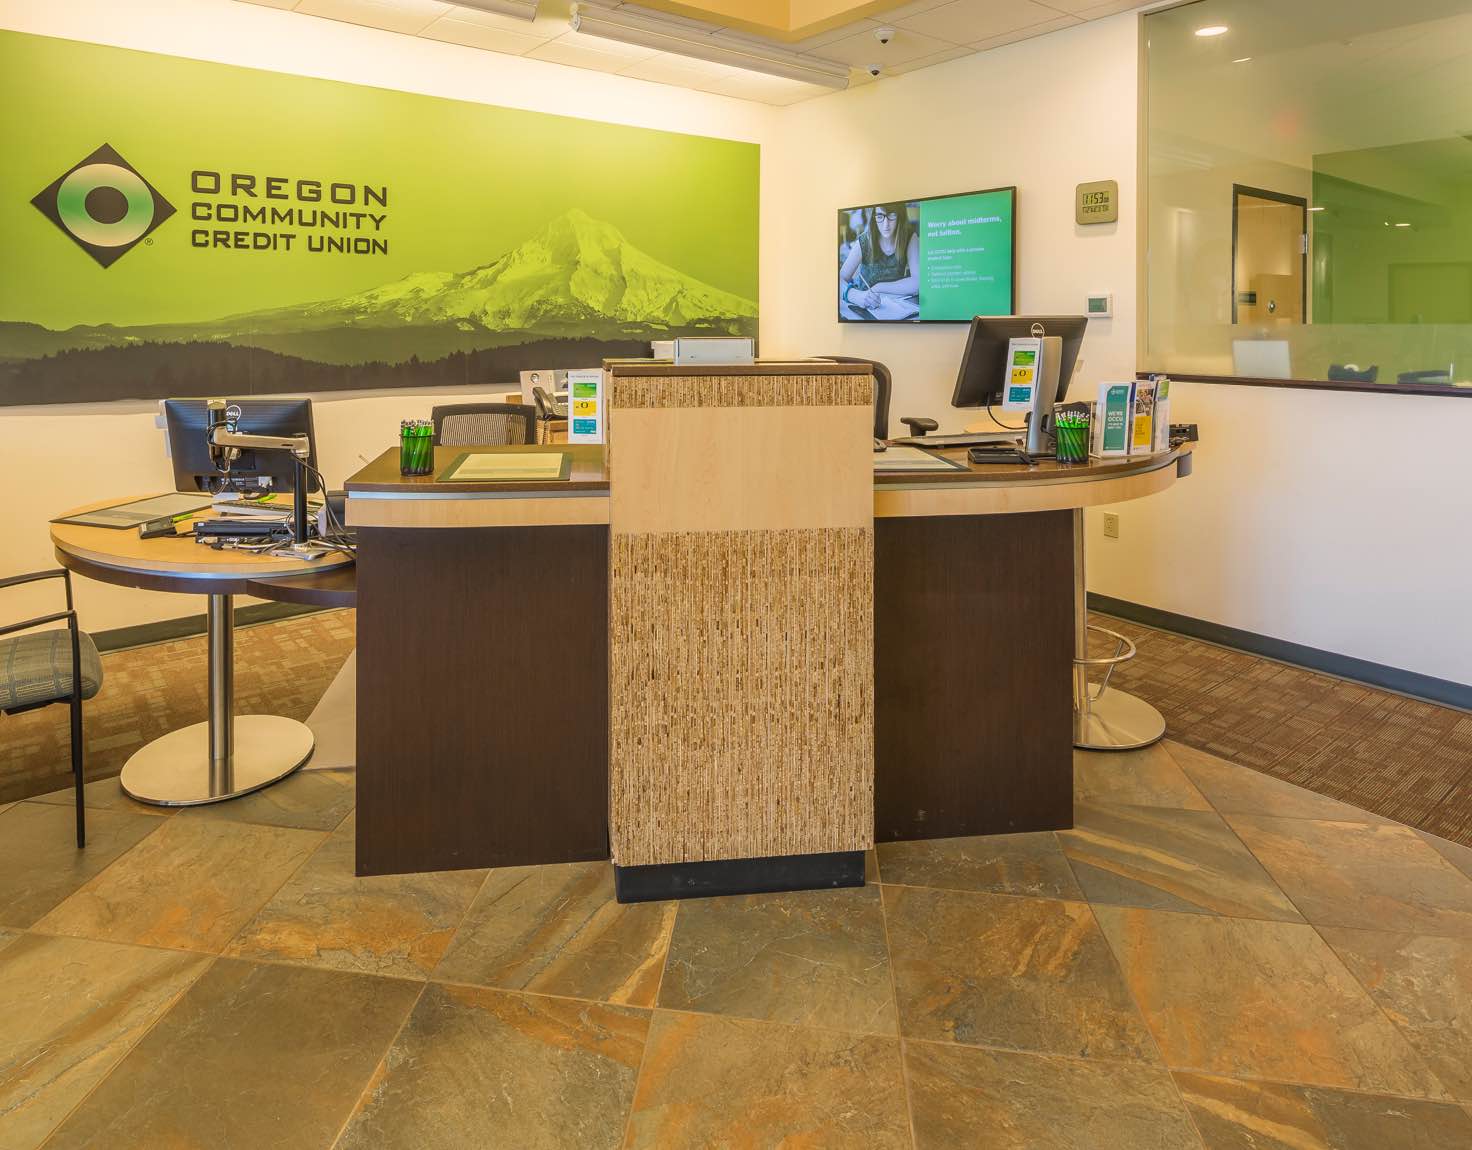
1327	519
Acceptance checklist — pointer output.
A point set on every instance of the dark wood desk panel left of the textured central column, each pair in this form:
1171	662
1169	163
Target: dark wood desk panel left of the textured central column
473	646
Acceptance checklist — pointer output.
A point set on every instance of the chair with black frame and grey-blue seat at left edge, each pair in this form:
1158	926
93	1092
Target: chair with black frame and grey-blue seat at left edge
36	671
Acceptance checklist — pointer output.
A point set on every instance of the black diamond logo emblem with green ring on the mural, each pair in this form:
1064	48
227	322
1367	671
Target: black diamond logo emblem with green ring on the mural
104	205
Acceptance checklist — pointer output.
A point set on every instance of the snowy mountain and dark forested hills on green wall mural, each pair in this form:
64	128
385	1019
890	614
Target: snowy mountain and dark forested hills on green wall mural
567	297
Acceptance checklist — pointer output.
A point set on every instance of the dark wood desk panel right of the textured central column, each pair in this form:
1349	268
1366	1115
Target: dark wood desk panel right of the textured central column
974	646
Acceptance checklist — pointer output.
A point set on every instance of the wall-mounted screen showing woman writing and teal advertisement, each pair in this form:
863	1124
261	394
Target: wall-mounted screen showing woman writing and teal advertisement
943	260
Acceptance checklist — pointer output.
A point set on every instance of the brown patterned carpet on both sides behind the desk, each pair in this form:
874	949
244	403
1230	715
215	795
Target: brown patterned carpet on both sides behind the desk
1389	755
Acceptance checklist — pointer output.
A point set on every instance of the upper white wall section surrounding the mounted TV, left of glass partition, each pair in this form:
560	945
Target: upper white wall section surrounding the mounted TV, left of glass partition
1046	116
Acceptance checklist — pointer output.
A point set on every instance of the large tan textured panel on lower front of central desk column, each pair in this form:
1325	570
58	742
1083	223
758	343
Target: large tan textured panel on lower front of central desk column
743	694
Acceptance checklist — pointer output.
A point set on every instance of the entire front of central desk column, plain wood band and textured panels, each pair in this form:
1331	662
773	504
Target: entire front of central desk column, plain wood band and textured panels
741	624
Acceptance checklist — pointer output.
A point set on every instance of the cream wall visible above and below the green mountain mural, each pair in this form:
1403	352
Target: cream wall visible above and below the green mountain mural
58	457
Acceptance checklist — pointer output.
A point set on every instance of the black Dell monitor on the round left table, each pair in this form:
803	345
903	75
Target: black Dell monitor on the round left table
189	445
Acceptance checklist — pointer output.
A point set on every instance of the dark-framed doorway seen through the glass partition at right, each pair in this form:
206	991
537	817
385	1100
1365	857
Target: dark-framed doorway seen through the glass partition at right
1270	257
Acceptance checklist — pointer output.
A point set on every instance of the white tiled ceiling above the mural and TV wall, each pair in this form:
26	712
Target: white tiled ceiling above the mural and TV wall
927	33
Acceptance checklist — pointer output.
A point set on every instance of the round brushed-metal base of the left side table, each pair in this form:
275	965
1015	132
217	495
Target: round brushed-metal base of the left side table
176	769
